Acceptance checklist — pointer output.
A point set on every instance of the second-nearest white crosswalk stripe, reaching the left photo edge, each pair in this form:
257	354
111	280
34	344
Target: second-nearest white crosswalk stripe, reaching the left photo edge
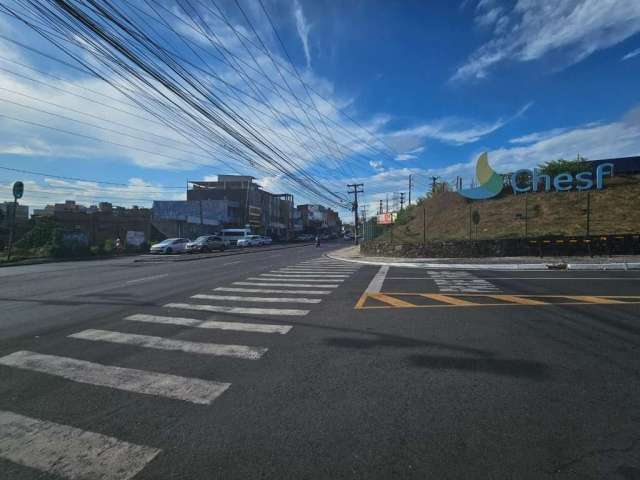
188	389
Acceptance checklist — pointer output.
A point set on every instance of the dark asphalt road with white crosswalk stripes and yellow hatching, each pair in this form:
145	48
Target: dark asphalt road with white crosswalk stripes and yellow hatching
290	365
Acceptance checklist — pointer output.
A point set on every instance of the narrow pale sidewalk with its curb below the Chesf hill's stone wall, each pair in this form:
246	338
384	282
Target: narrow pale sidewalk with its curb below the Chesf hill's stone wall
627	262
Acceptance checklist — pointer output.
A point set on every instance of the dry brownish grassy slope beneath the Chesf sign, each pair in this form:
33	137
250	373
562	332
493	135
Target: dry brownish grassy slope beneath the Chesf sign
614	210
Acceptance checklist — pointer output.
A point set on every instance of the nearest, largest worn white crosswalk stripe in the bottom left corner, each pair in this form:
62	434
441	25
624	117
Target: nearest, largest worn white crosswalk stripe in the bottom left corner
69	452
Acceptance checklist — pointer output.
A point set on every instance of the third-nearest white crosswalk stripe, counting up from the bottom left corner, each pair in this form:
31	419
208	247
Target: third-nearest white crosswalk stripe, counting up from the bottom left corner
161	343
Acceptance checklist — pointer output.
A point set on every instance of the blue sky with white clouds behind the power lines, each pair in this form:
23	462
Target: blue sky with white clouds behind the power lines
430	84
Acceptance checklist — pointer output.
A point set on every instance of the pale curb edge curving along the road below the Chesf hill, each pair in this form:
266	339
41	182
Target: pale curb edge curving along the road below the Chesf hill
497	266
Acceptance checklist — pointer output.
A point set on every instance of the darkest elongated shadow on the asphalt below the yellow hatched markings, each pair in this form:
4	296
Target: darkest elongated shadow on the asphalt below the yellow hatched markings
498	366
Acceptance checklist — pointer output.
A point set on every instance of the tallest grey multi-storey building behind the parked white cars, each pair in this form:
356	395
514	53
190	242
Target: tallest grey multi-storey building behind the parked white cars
266	213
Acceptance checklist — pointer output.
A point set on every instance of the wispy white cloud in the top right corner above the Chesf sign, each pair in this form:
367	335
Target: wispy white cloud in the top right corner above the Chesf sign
533	29
